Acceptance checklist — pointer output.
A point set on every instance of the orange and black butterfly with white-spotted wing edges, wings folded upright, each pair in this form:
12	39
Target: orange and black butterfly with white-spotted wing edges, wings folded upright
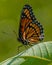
30	30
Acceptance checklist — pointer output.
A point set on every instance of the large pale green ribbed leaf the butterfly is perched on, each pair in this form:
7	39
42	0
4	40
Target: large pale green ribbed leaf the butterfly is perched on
40	54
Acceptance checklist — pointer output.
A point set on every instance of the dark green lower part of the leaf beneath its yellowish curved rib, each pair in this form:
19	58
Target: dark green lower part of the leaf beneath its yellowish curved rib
36	61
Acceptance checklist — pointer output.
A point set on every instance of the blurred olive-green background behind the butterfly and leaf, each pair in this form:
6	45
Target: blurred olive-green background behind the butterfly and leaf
10	11
